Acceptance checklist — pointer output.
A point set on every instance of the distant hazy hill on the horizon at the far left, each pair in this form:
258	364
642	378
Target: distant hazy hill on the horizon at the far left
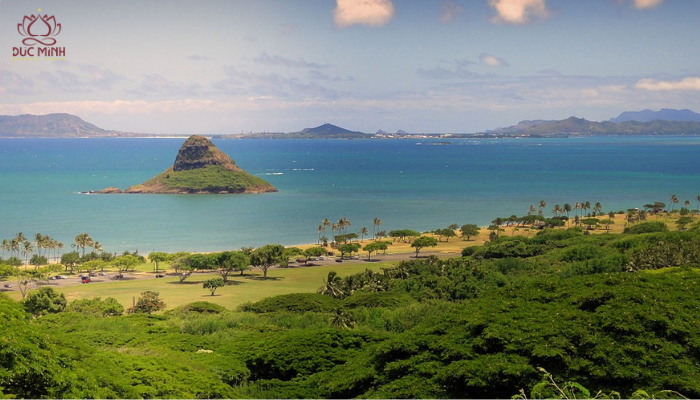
50	125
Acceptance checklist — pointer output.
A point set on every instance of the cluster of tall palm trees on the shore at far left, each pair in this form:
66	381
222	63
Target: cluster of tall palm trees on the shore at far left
43	245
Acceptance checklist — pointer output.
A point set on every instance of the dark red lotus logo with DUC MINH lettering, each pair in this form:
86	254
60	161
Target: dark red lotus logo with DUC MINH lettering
38	31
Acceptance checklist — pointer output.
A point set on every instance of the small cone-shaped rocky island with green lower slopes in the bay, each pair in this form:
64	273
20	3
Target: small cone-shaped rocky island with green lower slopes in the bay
200	168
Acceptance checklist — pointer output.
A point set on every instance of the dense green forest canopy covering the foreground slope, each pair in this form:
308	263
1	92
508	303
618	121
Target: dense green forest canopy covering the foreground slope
612	312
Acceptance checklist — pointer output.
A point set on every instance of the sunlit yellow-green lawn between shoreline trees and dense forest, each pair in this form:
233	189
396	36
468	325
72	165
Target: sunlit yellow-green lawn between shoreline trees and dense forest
250	287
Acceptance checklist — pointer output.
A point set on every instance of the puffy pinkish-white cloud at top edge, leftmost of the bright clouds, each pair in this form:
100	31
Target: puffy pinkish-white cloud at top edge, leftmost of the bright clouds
362	12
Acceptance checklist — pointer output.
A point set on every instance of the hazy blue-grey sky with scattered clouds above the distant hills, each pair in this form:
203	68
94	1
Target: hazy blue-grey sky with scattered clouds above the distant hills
433	66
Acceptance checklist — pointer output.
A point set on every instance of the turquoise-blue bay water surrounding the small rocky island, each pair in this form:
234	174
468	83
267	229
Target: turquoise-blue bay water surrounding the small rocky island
406	183
